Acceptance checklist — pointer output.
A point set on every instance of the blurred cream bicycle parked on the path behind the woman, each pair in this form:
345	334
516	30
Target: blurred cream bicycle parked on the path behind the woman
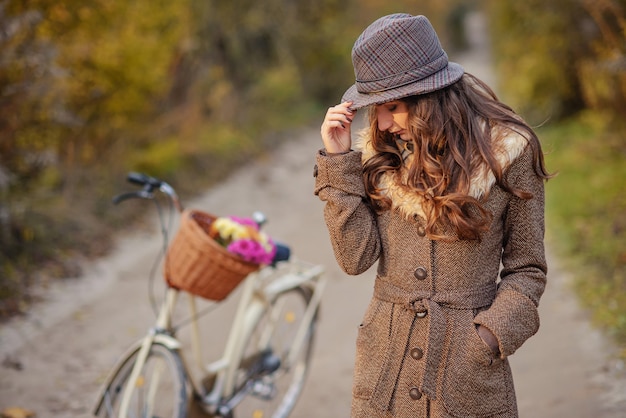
267	354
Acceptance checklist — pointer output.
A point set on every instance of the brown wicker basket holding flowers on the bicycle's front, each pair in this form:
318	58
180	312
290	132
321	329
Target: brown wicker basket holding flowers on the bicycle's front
197	264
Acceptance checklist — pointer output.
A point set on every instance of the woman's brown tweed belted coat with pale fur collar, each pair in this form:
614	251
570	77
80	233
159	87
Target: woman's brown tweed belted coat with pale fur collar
418	353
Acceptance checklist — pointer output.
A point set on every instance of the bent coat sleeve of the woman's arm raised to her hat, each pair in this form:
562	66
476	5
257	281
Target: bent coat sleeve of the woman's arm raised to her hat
350	221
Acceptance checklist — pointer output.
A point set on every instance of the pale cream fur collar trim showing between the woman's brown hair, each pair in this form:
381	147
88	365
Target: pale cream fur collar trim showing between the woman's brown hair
509	145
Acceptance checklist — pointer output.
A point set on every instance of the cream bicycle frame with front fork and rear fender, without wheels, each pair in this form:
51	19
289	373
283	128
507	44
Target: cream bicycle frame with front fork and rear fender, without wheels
259	290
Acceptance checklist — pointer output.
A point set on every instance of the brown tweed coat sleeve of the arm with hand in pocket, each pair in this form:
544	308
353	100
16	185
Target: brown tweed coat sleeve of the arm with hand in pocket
513	317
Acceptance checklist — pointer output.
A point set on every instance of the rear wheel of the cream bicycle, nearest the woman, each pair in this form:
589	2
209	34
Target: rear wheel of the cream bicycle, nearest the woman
275	395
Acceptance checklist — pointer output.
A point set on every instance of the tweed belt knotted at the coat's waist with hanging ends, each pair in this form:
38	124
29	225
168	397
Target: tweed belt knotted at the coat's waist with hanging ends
427	305
